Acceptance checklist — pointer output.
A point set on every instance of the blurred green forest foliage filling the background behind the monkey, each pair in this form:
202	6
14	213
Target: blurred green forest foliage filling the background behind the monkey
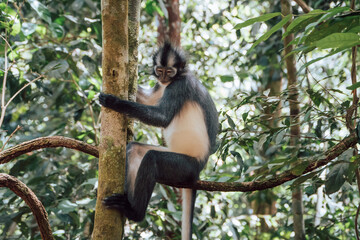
57	45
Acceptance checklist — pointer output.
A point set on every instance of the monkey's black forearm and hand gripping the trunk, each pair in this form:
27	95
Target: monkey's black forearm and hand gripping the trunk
151	115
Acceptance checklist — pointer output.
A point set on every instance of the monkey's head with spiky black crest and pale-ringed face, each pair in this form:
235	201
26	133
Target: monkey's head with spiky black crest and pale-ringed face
169	62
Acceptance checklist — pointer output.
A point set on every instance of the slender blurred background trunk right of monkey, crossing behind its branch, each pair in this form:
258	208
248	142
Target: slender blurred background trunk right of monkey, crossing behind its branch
297	204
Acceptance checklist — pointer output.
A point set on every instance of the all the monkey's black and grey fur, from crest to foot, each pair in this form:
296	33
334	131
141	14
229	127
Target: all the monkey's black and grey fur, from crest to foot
161	165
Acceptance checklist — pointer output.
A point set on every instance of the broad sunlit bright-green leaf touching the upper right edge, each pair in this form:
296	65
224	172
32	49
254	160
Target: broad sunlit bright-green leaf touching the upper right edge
339	40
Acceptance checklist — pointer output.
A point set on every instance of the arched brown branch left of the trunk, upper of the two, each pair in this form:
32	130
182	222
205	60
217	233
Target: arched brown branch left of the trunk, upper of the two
46	142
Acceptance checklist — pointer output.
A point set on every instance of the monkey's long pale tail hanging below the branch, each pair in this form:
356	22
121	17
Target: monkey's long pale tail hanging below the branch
188	203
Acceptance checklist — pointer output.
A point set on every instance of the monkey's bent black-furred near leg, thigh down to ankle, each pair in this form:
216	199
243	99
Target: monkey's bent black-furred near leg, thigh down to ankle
160	166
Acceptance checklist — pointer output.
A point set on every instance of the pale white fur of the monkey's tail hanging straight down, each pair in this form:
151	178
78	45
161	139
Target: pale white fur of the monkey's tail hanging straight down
186	214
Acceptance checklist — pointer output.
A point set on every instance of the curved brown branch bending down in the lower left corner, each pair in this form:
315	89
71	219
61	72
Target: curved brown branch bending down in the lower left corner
31	200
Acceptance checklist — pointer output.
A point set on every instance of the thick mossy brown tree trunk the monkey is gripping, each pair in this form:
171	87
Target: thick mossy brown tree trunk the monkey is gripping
112	149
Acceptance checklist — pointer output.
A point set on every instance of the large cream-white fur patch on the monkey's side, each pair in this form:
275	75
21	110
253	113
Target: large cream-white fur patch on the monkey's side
187	133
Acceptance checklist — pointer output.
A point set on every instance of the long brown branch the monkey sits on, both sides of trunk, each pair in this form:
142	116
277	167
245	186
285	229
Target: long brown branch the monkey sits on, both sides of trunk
313	163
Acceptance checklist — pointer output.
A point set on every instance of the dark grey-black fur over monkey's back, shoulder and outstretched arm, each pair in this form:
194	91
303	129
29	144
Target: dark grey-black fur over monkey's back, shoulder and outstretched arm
183	88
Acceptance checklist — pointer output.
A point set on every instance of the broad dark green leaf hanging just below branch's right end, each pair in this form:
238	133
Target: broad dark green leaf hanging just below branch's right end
336	178
